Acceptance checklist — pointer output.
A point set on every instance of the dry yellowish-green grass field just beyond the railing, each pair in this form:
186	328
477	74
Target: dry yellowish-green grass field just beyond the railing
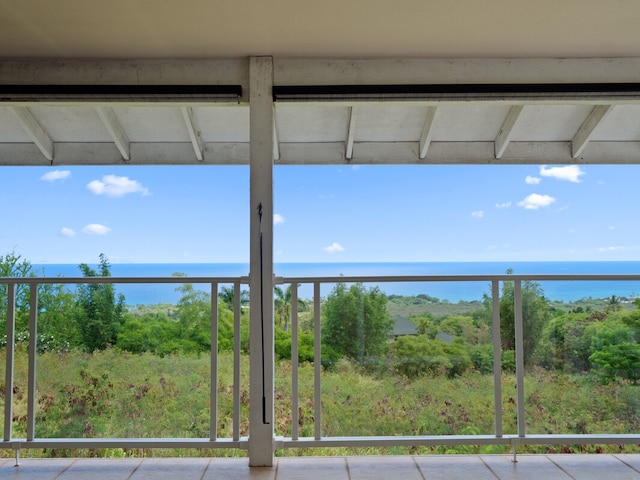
114	394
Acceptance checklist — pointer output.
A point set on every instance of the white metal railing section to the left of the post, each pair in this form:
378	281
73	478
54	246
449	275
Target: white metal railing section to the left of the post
31	441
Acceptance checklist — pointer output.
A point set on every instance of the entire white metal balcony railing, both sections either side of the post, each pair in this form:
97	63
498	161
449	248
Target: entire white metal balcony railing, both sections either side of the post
295	440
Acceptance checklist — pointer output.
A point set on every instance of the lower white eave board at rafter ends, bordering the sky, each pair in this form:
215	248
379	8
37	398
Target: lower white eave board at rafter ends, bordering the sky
327	153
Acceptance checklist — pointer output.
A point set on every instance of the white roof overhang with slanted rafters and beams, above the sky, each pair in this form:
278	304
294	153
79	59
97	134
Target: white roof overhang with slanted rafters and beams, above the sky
387	118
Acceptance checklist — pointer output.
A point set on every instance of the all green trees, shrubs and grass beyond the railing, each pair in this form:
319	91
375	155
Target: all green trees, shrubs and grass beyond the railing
108	370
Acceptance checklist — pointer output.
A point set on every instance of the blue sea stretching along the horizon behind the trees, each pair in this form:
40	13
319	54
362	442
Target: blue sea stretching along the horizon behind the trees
451	291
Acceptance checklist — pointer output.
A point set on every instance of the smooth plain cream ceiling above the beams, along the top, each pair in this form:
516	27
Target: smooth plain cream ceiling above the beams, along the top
327	28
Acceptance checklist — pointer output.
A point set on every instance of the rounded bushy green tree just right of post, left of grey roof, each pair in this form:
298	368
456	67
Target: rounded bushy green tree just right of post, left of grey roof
356	321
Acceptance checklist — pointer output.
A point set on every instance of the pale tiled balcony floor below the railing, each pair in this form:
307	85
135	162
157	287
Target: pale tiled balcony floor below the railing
451	467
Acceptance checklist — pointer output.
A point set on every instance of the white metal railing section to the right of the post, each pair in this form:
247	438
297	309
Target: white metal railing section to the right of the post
499	437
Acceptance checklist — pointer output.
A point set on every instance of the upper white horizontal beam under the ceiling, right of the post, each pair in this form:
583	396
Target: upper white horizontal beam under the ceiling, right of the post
433	71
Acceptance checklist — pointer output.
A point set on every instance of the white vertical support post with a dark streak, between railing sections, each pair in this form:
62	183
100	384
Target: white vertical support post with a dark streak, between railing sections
261	440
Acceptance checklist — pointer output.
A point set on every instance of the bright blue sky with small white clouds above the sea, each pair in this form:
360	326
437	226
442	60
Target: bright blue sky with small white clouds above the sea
200	214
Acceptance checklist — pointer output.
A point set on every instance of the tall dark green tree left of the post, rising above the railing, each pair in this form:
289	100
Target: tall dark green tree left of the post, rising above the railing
100	313
